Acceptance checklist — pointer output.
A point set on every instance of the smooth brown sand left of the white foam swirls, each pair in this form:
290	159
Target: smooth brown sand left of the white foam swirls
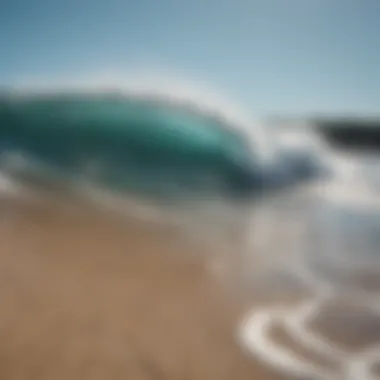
86	296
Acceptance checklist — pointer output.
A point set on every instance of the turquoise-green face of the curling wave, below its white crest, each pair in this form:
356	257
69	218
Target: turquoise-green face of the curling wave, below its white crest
126	143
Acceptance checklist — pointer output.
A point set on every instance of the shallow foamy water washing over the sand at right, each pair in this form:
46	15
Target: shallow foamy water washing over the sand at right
335	256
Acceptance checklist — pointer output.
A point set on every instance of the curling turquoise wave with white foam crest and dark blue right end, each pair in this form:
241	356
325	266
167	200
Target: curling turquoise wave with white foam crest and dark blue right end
154	139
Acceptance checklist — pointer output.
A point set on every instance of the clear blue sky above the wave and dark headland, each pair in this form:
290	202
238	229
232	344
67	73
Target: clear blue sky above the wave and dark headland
273	56
